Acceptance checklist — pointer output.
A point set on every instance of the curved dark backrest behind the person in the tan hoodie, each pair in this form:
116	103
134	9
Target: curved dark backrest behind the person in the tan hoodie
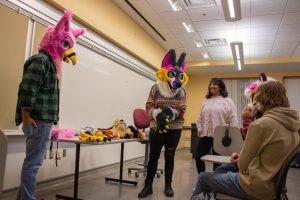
282	175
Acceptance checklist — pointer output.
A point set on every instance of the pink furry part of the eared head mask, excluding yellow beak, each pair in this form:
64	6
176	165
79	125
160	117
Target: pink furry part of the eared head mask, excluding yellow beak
56	37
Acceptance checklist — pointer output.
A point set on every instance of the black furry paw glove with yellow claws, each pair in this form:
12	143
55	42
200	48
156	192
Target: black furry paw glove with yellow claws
163	118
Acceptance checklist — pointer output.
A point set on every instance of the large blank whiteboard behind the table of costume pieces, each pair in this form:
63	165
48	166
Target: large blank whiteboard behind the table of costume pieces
97	90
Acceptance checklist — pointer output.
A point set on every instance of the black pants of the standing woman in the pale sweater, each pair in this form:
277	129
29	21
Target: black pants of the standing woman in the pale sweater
204	146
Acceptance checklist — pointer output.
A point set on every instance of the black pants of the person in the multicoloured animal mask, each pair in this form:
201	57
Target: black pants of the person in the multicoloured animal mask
157	140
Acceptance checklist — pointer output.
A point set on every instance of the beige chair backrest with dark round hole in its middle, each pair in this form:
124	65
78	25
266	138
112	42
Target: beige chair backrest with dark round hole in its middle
226	145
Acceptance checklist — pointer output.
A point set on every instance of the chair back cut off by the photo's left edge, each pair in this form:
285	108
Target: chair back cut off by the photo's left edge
3	152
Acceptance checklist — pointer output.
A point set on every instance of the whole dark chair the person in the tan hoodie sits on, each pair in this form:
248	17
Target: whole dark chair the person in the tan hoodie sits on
280	184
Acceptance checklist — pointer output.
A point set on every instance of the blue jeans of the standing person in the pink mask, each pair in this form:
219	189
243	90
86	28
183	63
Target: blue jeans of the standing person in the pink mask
36	144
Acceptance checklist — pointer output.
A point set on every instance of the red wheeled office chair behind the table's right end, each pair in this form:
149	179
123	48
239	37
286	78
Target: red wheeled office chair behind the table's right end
142	121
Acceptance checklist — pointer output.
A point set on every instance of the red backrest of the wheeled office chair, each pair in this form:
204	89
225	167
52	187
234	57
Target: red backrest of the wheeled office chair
141	118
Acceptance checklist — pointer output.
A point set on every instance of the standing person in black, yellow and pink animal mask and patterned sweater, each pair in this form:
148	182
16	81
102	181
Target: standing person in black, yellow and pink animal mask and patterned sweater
166	105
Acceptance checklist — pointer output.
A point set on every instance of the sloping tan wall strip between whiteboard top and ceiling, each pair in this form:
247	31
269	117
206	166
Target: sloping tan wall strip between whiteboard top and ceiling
107	19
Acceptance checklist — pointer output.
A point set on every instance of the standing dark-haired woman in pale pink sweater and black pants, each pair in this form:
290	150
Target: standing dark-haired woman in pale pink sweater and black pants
217	110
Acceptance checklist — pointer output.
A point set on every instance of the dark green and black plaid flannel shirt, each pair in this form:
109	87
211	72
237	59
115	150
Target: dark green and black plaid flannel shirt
38	90
